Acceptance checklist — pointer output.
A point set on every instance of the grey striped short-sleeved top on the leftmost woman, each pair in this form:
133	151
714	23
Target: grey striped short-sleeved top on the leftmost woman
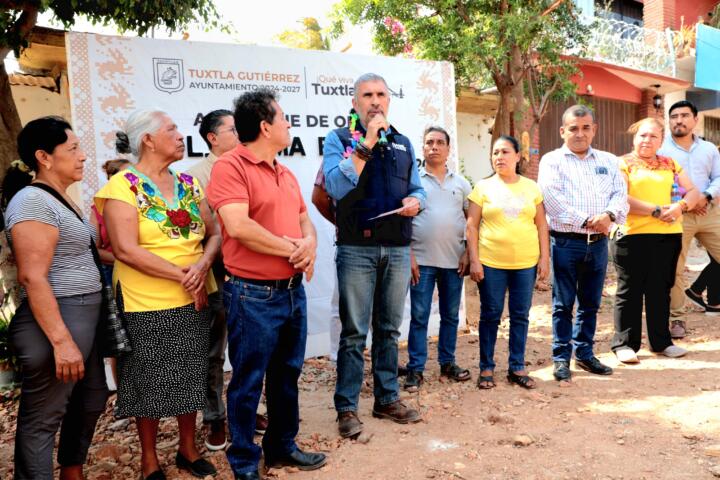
73	270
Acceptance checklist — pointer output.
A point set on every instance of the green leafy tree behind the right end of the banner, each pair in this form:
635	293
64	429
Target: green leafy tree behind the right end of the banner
508	43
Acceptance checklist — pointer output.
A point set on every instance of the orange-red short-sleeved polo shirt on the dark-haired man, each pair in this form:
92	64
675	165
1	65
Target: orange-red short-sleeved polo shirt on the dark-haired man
274	201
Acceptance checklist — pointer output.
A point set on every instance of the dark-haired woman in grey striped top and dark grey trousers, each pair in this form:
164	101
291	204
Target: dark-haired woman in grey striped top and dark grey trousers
54	331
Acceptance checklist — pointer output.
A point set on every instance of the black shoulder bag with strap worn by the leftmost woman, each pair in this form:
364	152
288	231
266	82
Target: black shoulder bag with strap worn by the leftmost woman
112	338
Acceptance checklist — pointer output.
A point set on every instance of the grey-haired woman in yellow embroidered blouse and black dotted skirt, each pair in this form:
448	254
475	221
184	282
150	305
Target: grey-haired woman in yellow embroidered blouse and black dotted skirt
158	222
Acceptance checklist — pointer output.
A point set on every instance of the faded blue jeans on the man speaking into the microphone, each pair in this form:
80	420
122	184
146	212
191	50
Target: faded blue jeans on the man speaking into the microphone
376	275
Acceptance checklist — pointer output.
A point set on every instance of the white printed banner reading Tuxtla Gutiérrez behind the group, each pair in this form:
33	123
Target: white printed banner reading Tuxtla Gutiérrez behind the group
112	76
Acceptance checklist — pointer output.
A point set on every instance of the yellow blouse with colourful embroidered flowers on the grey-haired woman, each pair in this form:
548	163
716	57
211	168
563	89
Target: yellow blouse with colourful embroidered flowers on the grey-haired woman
169	228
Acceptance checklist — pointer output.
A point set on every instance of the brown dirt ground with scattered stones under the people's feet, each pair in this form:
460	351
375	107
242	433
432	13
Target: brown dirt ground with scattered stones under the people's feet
659	419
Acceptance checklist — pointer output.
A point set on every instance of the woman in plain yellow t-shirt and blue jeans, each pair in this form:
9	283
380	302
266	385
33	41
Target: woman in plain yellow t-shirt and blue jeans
508	245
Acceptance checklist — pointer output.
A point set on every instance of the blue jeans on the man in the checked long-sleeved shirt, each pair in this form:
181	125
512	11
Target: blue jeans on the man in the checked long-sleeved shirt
579	270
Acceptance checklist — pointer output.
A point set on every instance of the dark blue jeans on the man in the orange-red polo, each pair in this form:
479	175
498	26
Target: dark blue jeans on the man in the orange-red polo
267	329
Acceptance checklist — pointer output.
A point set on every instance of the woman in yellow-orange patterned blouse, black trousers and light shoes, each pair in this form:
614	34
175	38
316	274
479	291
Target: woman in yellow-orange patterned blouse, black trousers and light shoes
646	249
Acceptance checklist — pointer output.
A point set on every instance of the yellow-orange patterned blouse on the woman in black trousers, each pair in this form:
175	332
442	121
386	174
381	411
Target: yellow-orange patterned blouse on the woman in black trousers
652	184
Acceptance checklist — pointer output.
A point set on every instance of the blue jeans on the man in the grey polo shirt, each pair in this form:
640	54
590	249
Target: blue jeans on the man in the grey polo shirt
449	289
